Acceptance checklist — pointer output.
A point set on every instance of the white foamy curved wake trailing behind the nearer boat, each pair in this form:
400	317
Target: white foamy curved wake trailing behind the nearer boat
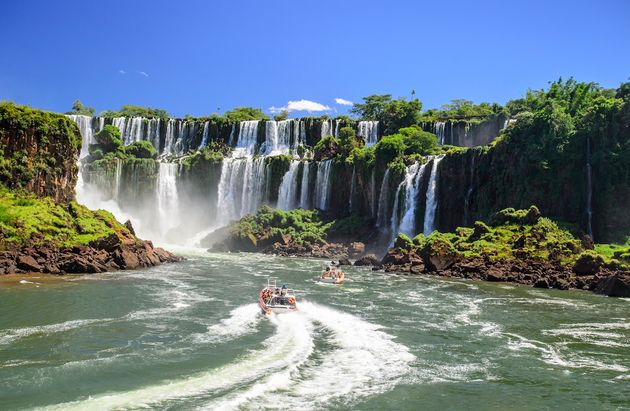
313	358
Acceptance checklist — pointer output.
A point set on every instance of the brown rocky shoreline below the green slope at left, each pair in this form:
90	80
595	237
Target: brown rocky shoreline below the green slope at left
107	254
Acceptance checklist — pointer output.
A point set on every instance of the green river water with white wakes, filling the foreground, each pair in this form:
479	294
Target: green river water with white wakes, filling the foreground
190	336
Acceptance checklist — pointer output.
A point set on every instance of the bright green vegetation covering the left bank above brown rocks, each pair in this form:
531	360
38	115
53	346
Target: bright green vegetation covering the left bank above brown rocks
28	220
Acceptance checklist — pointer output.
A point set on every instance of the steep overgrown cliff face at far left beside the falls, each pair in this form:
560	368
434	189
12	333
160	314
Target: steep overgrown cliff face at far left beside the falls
39	151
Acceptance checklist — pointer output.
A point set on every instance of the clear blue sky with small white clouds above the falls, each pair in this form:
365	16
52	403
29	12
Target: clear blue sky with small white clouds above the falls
312	57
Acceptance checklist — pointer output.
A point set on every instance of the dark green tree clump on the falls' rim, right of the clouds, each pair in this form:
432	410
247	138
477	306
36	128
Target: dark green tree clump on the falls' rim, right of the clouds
393	114
